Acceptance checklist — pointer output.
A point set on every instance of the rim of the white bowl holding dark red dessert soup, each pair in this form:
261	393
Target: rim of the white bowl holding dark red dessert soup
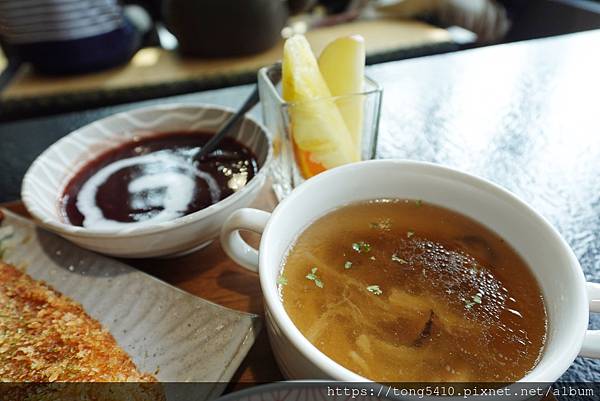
68	229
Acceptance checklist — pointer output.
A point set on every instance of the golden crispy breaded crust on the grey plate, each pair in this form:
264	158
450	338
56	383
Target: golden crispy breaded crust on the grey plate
47	337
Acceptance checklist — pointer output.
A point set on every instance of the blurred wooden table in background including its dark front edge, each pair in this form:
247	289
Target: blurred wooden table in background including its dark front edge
156	72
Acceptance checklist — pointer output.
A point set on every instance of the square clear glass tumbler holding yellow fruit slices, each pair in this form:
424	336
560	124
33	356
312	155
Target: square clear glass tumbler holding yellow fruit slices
353	120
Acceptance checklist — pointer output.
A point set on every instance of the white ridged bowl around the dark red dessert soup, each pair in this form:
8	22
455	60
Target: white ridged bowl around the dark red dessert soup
47	177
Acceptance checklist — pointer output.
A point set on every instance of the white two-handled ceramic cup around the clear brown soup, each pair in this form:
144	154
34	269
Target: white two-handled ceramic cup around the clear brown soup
568	298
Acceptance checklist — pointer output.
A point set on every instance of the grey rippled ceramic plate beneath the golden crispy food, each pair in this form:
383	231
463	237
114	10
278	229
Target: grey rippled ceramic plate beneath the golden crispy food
178	336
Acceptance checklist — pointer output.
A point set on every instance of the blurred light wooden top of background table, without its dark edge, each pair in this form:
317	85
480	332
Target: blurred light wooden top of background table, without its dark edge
152	66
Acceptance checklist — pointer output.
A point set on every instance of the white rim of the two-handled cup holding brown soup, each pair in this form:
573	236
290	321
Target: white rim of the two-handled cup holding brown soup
335	370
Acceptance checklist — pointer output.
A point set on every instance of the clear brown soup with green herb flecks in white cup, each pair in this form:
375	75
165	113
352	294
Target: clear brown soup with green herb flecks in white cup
453	303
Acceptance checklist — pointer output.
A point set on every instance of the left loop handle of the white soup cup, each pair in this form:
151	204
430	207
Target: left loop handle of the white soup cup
235	247
